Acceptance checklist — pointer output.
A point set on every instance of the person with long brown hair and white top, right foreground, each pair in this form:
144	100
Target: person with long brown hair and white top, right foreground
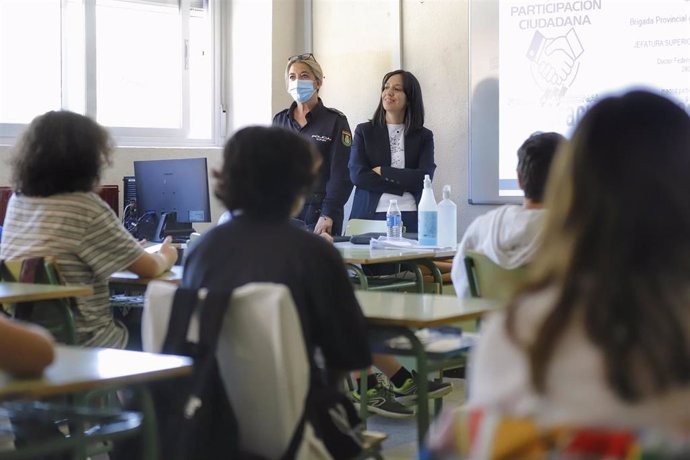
601	334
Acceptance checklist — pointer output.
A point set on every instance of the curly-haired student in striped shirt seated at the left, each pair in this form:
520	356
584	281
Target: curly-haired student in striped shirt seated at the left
55	212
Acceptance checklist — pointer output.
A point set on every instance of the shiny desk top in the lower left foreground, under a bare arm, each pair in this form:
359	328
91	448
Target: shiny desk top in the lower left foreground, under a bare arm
80	369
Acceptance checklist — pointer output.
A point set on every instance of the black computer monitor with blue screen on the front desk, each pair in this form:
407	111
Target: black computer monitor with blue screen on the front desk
175	193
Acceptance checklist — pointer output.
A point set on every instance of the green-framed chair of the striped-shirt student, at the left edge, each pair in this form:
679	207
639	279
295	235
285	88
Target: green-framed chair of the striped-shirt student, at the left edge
55	315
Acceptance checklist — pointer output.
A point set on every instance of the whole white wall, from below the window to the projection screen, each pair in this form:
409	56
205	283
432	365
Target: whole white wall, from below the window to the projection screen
356	41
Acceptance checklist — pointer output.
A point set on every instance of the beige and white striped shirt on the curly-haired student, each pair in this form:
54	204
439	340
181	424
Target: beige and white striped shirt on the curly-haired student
88	242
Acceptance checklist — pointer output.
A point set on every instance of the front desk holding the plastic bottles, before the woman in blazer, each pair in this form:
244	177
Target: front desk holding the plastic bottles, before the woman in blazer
361	254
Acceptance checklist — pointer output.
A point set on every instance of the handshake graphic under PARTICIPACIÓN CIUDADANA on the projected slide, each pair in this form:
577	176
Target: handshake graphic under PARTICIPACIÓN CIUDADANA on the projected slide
555	59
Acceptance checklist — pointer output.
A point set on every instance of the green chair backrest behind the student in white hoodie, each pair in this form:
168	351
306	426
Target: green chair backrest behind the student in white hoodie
488	279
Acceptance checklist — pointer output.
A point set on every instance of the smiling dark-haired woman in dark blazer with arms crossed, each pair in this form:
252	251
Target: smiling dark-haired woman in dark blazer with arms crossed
392	152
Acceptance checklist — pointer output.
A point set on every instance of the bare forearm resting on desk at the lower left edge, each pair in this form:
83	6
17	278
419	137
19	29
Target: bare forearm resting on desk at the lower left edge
25	349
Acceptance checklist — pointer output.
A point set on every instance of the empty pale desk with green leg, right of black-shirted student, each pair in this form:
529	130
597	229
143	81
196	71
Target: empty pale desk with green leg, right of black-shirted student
395	313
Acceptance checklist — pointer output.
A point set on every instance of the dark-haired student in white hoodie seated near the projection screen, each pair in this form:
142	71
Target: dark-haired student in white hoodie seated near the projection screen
510	234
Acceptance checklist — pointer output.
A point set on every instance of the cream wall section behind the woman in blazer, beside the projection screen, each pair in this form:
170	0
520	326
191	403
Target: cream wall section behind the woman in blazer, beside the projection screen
363	39
